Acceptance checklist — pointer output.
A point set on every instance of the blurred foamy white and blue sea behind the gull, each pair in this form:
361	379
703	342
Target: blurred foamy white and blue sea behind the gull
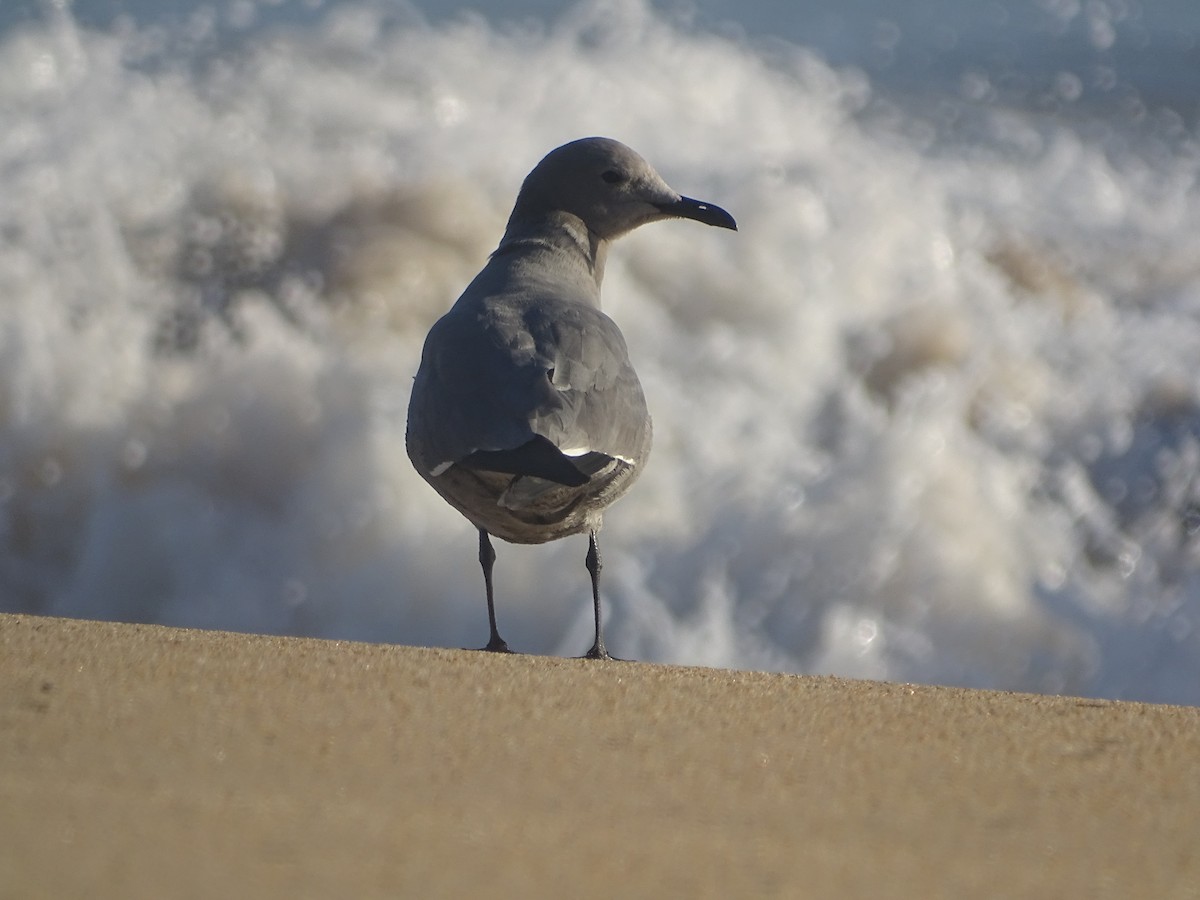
932	416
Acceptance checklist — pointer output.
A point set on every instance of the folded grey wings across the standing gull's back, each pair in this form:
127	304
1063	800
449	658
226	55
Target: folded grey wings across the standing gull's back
497	376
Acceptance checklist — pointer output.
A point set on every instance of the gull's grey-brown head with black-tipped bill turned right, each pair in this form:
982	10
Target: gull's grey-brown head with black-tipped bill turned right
609	188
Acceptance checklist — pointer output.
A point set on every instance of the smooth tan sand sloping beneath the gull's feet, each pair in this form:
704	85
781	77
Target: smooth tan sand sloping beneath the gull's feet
151	763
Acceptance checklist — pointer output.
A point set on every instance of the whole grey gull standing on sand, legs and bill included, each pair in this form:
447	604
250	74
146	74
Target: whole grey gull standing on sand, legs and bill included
526	415
